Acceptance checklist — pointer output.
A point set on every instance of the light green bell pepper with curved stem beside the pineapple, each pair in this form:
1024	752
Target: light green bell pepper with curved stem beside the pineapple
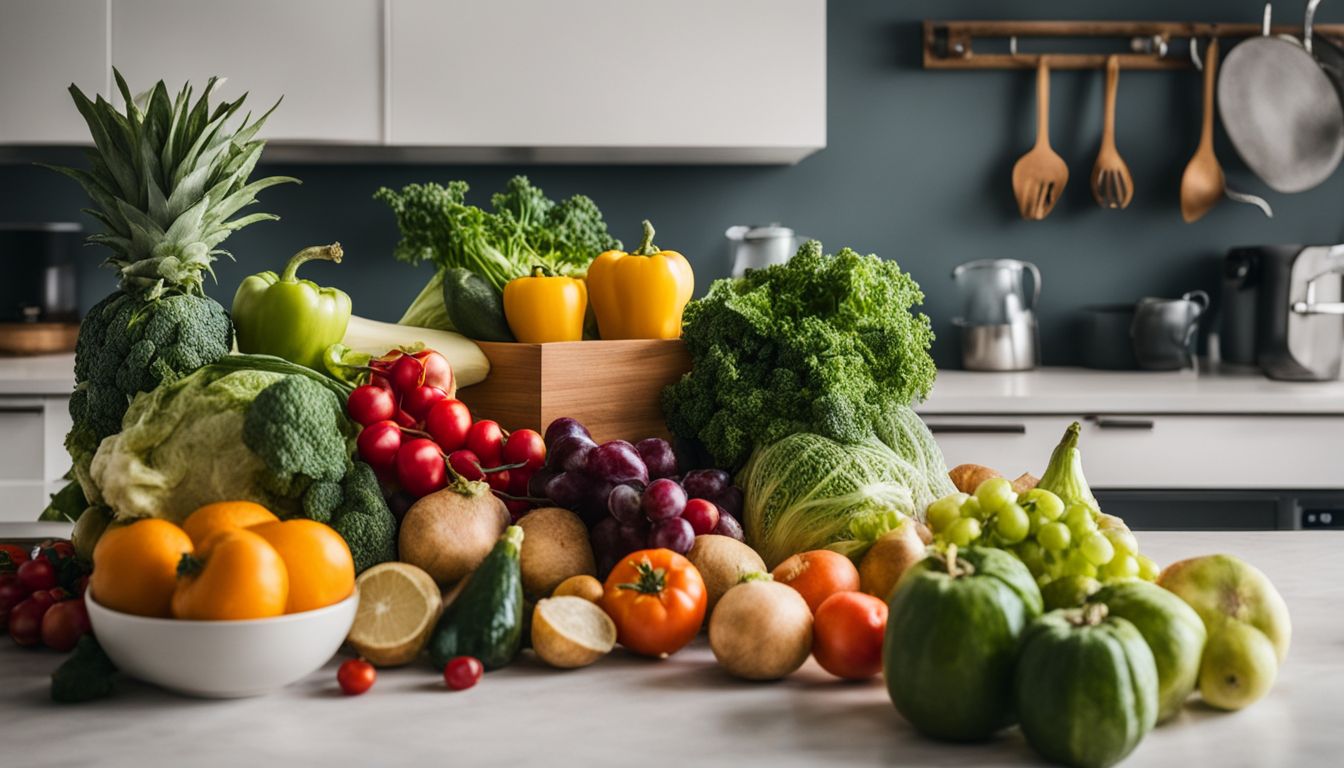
291	318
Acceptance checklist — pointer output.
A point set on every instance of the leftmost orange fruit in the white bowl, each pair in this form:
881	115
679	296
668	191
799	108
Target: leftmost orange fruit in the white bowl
135	567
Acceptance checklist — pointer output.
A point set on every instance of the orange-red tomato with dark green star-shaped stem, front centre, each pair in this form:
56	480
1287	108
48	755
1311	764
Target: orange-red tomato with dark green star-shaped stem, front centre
657	599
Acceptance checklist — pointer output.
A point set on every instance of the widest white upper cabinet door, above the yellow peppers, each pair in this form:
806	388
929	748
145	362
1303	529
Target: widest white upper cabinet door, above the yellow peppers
663	75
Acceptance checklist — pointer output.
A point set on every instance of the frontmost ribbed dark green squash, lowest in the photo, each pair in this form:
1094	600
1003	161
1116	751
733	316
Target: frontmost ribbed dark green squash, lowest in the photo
1087	687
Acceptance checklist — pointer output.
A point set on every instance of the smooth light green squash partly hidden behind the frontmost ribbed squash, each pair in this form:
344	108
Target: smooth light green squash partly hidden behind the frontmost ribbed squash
1174	633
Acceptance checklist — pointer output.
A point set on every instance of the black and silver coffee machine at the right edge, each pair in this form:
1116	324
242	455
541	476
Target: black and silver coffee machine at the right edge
1283	310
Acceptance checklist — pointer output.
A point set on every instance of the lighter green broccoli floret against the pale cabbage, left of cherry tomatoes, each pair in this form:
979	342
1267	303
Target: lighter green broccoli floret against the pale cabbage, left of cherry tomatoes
295	427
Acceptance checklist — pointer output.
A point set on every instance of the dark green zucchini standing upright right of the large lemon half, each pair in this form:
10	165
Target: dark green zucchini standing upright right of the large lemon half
487	618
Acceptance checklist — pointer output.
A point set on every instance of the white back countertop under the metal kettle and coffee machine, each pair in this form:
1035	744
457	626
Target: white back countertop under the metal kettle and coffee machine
1089	392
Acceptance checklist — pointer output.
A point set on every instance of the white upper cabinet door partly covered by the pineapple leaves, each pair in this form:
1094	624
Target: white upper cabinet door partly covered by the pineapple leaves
325	57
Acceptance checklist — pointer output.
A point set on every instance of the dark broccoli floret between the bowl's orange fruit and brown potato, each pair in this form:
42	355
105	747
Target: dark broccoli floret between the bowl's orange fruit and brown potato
357	510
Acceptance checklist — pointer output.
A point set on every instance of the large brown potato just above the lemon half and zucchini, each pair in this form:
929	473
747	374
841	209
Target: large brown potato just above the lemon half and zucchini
450	533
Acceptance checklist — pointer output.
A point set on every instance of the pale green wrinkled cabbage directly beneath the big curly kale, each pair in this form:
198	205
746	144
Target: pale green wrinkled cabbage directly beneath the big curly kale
807	492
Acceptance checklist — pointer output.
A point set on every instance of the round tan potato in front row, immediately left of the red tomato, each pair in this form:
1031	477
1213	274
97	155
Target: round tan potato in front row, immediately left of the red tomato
761	631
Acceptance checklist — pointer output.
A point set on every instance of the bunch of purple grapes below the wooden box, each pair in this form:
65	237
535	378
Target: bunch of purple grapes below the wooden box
634	497
